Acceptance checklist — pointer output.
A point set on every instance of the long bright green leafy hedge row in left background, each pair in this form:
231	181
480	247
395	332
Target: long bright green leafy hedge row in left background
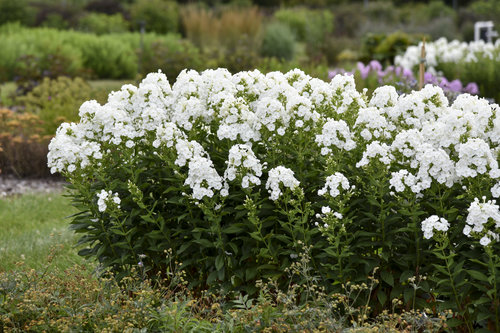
110	56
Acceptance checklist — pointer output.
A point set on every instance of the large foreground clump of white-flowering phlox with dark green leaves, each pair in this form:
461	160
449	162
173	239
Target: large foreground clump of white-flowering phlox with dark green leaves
236	175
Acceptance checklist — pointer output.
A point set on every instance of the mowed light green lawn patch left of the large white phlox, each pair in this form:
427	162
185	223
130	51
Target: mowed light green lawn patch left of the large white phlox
34	227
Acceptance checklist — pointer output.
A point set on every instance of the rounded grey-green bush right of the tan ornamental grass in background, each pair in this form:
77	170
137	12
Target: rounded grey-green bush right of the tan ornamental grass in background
278	41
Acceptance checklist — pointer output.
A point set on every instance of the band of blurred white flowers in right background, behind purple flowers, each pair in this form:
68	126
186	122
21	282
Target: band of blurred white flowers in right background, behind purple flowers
441	51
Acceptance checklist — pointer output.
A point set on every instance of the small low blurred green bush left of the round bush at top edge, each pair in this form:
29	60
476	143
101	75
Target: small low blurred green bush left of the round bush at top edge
102	23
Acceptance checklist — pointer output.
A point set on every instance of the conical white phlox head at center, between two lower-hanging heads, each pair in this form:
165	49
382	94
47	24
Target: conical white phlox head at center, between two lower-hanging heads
242	161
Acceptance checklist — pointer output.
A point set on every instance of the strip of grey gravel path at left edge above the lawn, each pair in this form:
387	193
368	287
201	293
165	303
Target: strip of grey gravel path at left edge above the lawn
11	185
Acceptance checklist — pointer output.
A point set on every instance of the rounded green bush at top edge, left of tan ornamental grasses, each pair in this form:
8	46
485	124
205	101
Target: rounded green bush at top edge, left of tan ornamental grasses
158	15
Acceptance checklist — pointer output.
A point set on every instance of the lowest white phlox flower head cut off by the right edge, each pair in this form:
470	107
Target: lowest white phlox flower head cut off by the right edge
480	213
